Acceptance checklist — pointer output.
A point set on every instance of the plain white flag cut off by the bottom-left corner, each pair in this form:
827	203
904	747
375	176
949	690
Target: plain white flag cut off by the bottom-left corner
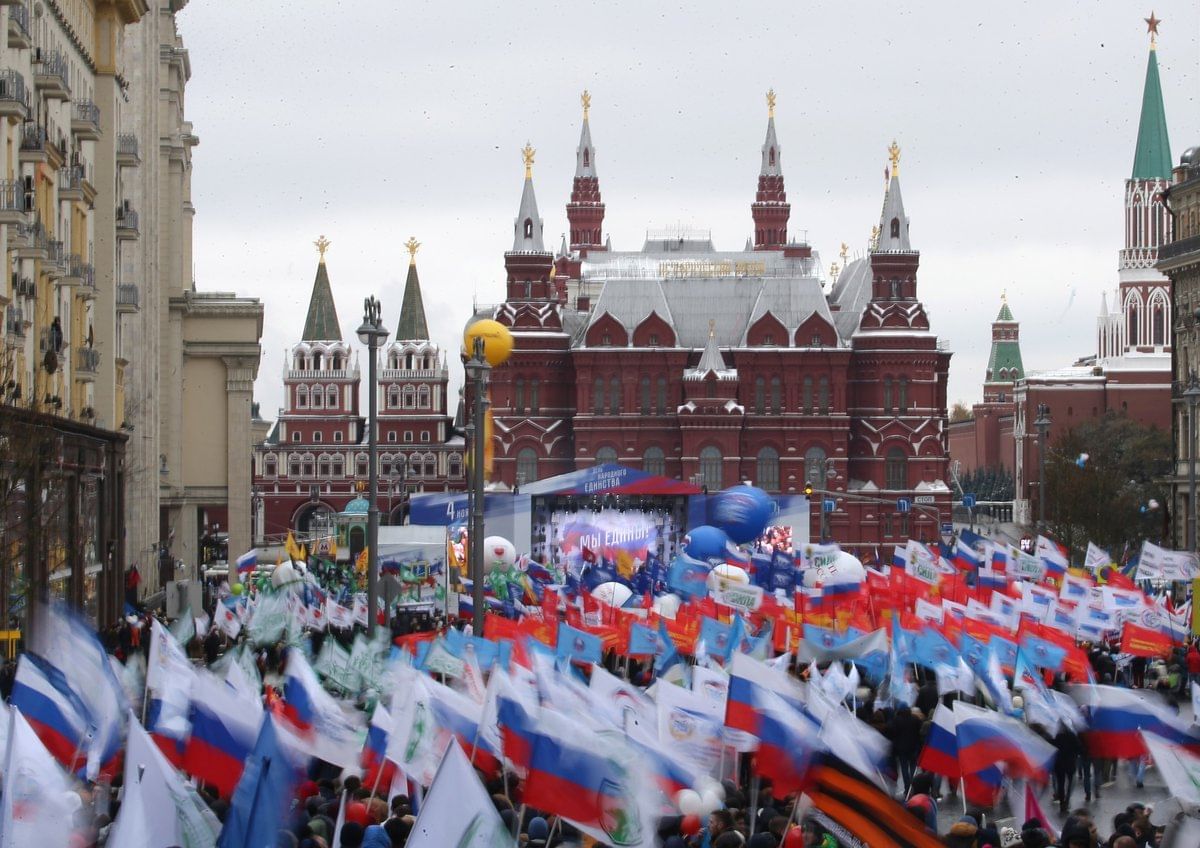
34	810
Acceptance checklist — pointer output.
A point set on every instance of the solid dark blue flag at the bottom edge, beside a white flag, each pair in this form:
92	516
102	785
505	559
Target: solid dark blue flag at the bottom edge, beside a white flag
259	809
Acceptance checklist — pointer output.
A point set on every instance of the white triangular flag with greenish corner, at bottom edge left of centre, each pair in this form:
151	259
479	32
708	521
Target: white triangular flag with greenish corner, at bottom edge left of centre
458	810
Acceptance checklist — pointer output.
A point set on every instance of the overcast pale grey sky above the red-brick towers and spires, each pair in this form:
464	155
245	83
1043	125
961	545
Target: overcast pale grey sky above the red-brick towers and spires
376	121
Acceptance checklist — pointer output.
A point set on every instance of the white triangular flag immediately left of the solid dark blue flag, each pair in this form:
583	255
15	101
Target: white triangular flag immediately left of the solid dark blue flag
159	808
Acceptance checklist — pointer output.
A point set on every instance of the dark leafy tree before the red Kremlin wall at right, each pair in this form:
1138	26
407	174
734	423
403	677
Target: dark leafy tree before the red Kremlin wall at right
1115	496
